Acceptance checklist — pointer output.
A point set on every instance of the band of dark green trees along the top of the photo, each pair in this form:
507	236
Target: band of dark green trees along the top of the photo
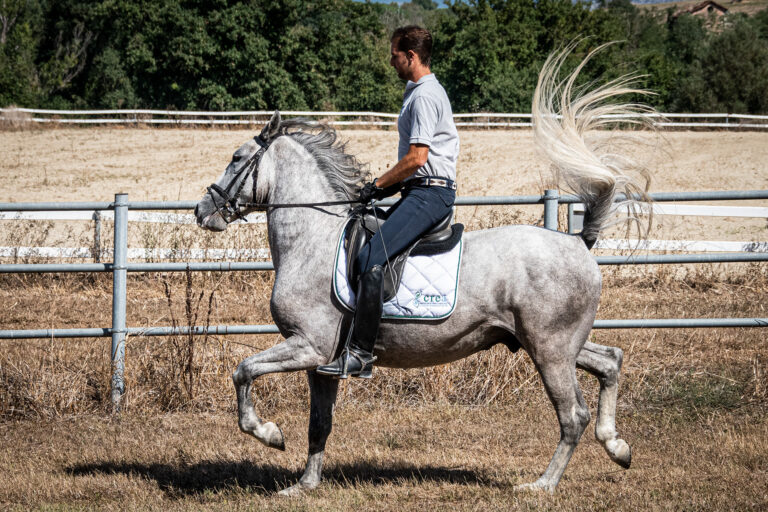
333	54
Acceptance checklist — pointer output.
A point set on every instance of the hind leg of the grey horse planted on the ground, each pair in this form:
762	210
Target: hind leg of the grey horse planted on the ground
559	376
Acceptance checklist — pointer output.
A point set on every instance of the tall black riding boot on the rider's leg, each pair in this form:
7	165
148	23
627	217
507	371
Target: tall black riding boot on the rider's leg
357	357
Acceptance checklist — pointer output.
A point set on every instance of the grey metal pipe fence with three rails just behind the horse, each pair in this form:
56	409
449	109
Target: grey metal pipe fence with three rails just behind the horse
119	268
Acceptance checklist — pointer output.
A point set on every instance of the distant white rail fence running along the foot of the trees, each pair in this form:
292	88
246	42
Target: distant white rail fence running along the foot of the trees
346	118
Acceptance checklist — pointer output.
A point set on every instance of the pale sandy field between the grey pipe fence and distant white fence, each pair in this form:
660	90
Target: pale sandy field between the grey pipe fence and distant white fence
76	164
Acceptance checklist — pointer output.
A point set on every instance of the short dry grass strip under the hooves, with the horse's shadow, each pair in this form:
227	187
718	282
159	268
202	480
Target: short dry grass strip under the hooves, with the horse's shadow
381	458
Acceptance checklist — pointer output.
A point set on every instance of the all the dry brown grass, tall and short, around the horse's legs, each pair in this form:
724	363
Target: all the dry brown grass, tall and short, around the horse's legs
693	404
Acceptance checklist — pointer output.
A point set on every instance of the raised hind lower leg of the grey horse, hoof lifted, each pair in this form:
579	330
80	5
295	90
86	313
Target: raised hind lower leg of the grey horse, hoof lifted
605	364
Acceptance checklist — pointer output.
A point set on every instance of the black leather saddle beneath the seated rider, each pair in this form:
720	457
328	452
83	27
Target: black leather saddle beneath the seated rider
363	224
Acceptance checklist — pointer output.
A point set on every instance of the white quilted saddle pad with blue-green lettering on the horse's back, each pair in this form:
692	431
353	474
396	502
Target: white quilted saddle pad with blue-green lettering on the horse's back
427	289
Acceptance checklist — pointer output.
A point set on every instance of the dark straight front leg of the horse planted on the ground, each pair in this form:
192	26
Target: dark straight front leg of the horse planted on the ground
323	391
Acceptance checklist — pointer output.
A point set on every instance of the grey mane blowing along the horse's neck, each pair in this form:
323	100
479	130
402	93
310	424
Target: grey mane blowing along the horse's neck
344	172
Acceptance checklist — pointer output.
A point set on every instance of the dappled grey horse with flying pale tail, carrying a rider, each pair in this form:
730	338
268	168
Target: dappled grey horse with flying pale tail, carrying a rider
523	286
